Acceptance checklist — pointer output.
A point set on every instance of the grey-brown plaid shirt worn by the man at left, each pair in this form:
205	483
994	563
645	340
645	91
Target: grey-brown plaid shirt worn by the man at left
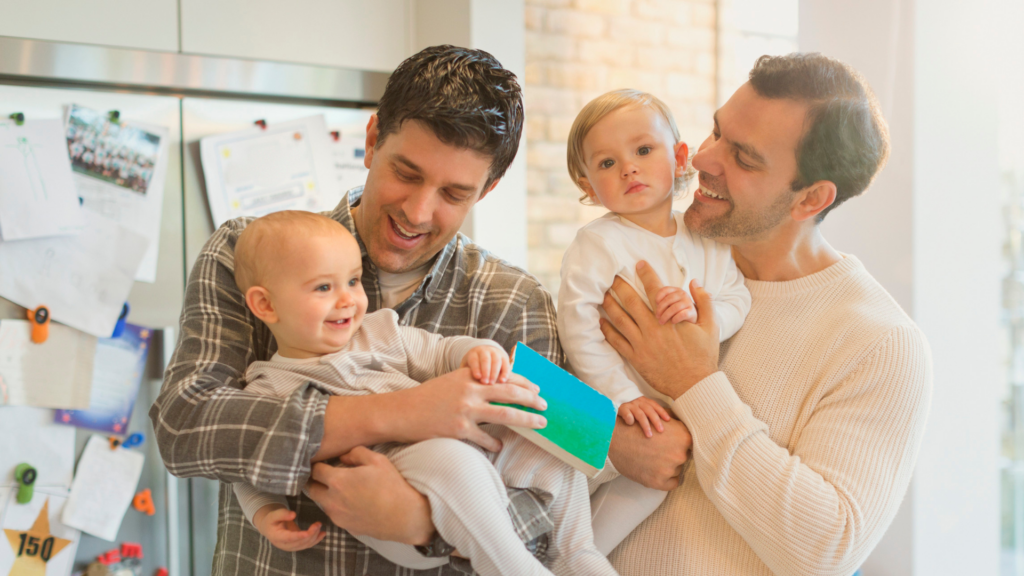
207	427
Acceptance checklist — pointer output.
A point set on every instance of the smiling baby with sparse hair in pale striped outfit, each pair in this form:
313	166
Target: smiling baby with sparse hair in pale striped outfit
301	274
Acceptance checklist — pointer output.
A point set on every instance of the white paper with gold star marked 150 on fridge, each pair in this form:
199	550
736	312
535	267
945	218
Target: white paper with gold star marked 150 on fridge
36	543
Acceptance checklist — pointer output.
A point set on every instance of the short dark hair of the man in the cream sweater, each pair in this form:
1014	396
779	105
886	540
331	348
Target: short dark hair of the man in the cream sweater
846	140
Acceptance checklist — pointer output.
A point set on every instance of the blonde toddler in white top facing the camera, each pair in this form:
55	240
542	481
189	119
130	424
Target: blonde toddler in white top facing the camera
625	154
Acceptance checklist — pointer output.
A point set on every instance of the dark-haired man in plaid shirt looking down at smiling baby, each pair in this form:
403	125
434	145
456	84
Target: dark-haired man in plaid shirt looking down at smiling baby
448	128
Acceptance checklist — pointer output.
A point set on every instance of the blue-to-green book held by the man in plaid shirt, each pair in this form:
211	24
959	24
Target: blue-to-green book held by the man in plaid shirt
580	419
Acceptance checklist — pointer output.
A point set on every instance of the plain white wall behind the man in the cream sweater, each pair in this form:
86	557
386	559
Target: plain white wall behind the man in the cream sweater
930	231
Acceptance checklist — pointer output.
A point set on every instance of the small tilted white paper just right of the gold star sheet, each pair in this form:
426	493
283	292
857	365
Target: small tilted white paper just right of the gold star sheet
105	484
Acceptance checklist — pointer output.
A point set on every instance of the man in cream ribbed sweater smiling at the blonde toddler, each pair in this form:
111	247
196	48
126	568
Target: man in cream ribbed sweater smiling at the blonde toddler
805	437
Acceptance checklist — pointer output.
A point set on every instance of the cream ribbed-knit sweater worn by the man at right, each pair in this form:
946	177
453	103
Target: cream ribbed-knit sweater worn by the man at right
805	442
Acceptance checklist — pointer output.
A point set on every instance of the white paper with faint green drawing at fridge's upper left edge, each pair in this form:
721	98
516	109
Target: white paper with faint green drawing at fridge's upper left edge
37	194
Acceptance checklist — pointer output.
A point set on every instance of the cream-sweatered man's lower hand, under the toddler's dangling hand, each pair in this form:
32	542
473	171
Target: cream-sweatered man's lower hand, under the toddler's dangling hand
656	463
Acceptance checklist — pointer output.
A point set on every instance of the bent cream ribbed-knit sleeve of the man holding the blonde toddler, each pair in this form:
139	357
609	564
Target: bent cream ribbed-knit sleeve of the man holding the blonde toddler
824	507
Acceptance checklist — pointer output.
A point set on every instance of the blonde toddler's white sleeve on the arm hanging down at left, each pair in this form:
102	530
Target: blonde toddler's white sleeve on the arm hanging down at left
589	268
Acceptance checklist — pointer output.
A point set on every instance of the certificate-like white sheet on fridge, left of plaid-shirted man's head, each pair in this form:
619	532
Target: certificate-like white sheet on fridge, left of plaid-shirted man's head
257	172
